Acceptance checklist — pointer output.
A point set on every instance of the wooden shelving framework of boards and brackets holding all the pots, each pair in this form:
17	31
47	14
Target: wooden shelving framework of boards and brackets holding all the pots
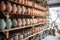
7	15
